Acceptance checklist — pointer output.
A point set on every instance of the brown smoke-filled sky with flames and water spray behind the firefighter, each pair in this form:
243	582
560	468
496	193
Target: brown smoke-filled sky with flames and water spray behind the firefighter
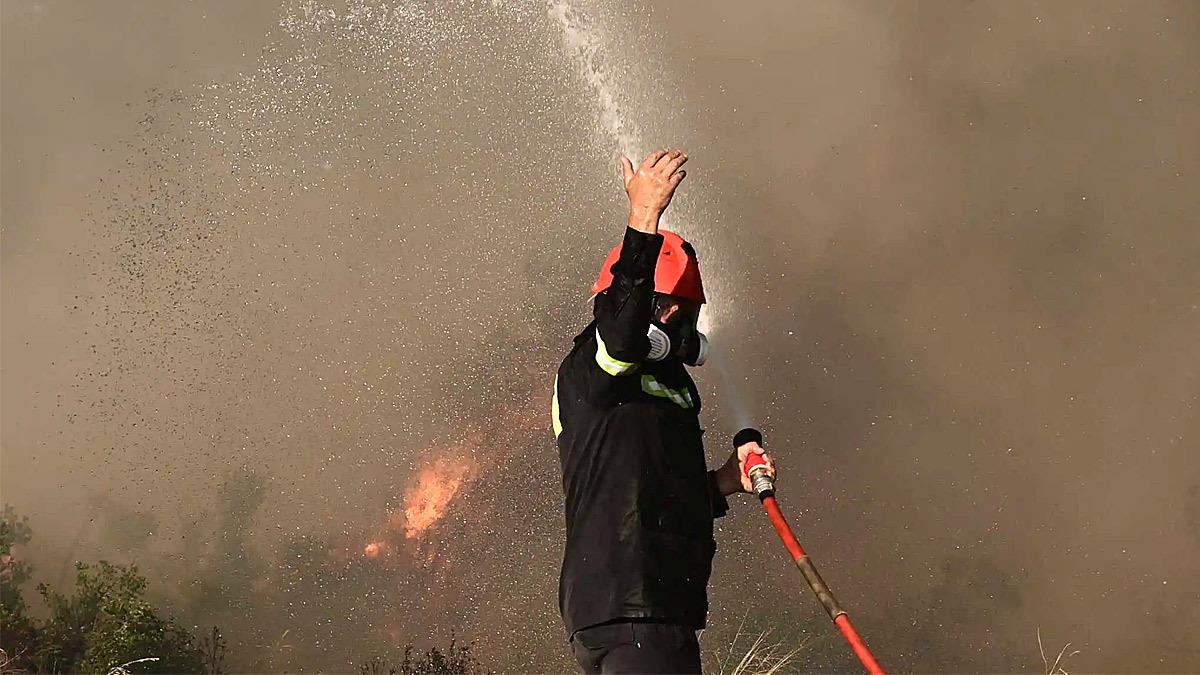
271	267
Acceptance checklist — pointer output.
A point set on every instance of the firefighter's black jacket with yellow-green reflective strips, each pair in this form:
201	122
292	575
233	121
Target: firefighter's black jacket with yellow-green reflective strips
640	504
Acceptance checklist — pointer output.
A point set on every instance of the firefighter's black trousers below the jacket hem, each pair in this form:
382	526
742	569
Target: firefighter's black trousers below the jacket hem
641	648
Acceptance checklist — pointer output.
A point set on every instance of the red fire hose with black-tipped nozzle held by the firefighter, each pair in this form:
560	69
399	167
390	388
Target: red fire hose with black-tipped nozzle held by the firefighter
765	489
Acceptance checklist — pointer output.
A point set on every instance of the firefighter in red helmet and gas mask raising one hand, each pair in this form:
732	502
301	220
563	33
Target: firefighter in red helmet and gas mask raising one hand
640	501
